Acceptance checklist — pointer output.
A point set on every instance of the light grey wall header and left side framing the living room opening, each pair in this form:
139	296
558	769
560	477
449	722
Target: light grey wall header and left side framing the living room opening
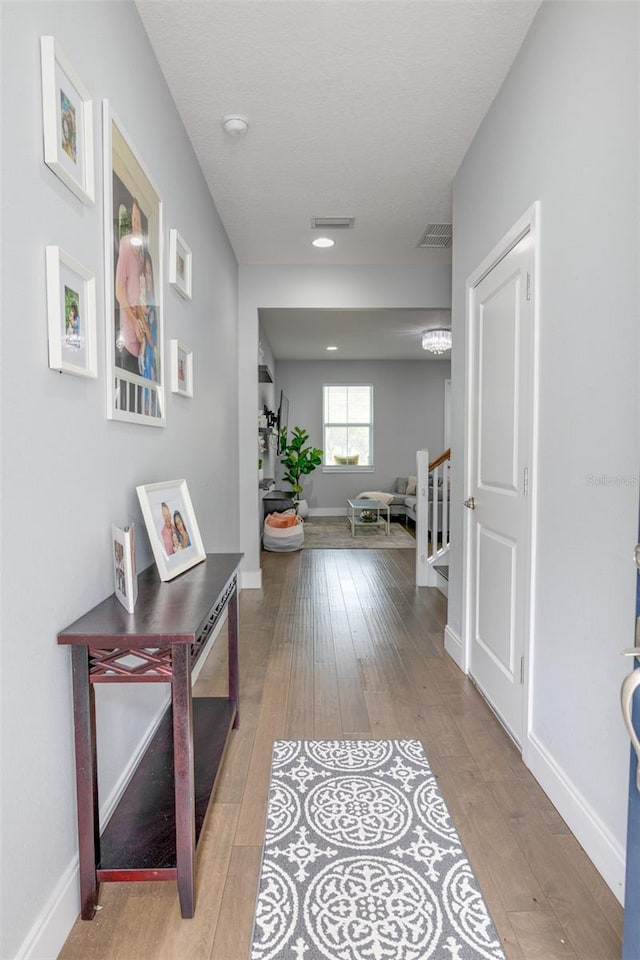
304	286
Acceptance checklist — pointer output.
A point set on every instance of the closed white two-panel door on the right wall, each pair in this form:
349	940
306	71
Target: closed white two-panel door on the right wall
501	343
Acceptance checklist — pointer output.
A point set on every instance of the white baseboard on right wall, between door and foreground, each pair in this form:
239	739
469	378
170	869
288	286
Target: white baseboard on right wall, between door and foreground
597	840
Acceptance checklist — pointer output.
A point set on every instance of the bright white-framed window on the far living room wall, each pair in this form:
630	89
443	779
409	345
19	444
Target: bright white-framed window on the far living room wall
347	417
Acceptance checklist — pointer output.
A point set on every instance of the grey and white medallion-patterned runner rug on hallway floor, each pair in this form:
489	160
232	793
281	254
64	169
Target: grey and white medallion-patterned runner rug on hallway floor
361	860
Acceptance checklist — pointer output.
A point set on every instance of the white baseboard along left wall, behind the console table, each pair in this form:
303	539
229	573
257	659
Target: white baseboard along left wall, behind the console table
51	928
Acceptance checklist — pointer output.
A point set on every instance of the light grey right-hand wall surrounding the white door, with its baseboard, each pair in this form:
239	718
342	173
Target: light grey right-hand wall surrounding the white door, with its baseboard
564	130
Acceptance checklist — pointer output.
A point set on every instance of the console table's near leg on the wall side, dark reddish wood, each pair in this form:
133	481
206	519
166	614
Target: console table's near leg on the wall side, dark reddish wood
86	780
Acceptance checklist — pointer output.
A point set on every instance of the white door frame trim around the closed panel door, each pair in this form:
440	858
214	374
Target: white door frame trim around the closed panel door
526	225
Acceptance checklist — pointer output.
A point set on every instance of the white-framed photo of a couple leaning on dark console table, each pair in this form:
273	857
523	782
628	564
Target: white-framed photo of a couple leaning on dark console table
172	527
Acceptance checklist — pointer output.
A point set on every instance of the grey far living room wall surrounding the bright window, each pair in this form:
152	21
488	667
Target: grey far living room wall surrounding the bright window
408	415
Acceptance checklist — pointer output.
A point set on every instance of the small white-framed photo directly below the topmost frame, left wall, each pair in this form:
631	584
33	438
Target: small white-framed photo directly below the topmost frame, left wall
71	310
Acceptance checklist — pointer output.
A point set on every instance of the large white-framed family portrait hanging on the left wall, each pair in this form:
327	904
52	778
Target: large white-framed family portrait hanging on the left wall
133	282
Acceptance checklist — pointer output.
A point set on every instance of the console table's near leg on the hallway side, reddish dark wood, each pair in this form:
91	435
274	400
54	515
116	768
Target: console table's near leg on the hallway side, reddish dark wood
184	777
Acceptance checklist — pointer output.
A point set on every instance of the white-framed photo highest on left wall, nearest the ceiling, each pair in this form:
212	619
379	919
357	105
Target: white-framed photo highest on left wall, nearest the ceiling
67	121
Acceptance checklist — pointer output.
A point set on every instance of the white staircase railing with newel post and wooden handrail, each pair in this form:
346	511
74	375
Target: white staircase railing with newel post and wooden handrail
432	515
